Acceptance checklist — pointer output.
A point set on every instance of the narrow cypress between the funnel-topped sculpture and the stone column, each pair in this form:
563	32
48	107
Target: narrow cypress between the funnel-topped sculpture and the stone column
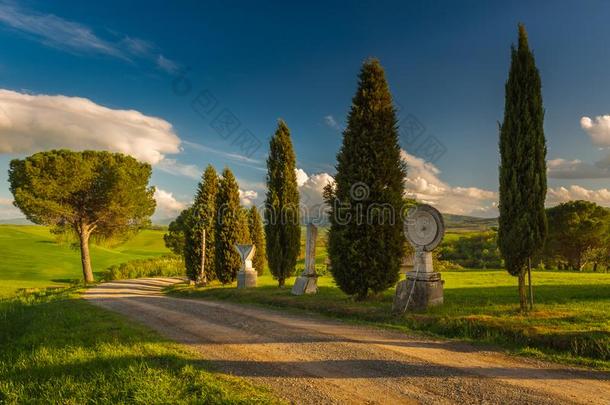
282	228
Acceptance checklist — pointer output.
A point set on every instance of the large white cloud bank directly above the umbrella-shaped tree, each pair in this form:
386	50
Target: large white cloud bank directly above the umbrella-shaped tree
30	123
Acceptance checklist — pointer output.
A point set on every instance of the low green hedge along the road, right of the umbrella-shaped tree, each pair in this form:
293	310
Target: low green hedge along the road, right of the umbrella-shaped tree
162	266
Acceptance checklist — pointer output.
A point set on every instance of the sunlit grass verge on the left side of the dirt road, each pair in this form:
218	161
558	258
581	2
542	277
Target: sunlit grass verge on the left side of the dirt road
58	348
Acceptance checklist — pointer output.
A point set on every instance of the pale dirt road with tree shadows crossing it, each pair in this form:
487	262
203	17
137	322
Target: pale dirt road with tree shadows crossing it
313	360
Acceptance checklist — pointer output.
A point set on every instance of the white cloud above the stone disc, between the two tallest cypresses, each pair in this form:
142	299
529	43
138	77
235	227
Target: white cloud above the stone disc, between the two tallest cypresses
423	183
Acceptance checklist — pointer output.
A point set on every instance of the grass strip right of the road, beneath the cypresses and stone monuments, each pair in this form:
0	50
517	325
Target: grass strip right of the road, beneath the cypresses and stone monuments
570	322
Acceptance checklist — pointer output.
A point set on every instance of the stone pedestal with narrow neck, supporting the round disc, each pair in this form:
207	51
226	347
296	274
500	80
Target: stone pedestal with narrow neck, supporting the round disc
422	287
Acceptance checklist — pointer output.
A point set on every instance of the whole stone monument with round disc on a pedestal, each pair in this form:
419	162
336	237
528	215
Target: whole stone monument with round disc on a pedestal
423	287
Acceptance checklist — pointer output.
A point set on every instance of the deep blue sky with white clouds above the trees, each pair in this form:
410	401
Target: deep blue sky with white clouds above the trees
186	65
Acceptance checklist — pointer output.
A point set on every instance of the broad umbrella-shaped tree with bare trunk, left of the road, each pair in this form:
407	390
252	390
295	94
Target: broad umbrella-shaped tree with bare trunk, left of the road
96	194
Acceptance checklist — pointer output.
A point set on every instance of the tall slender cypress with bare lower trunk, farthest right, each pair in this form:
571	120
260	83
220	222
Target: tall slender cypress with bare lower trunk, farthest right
523	223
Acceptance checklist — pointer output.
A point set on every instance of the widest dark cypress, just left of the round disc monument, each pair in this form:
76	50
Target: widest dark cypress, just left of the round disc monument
366	240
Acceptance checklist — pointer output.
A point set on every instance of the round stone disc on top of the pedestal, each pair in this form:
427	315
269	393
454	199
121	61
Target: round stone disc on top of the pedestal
424	228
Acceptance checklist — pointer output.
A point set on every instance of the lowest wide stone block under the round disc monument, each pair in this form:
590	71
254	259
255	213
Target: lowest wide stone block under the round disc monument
428	292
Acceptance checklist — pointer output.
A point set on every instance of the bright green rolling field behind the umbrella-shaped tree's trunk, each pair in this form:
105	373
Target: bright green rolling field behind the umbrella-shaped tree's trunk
31	257
